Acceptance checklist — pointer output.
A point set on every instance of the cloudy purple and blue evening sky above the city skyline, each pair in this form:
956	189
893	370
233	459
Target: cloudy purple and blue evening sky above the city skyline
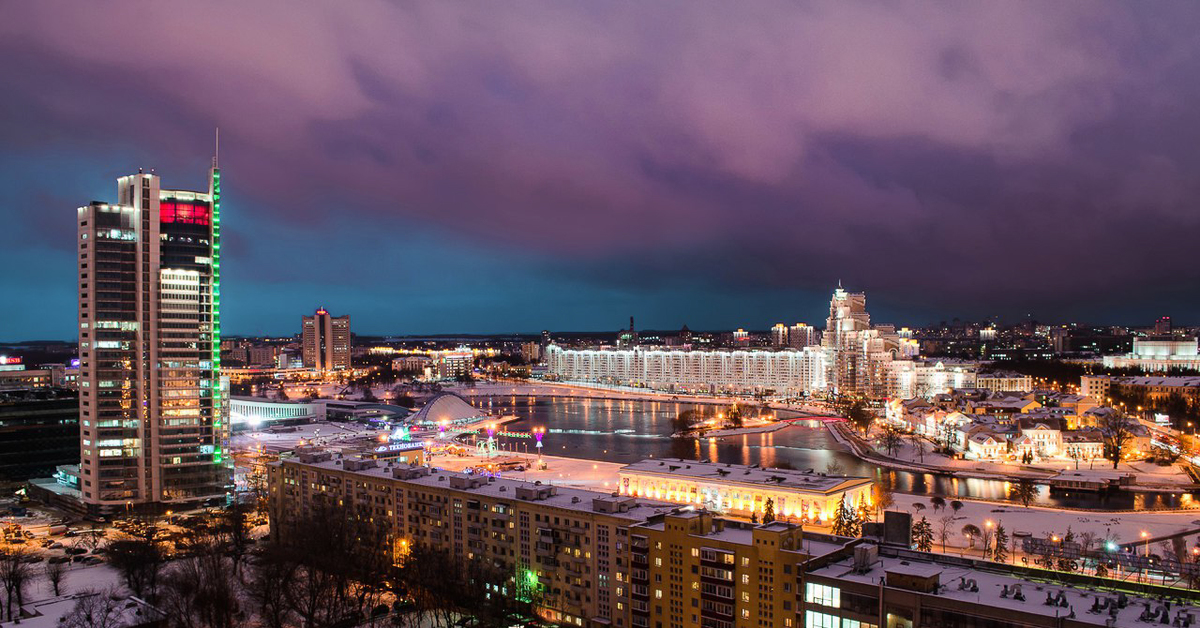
479	168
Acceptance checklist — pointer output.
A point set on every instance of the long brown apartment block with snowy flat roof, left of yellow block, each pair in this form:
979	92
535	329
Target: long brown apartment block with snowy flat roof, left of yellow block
573	542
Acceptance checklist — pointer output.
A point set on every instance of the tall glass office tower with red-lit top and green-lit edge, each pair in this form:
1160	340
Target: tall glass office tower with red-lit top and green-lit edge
153	405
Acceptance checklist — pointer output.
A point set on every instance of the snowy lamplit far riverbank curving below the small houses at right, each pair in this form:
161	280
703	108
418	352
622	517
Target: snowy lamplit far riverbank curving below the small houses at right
1171	481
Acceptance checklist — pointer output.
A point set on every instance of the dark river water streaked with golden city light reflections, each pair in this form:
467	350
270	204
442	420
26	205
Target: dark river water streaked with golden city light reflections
627	432
